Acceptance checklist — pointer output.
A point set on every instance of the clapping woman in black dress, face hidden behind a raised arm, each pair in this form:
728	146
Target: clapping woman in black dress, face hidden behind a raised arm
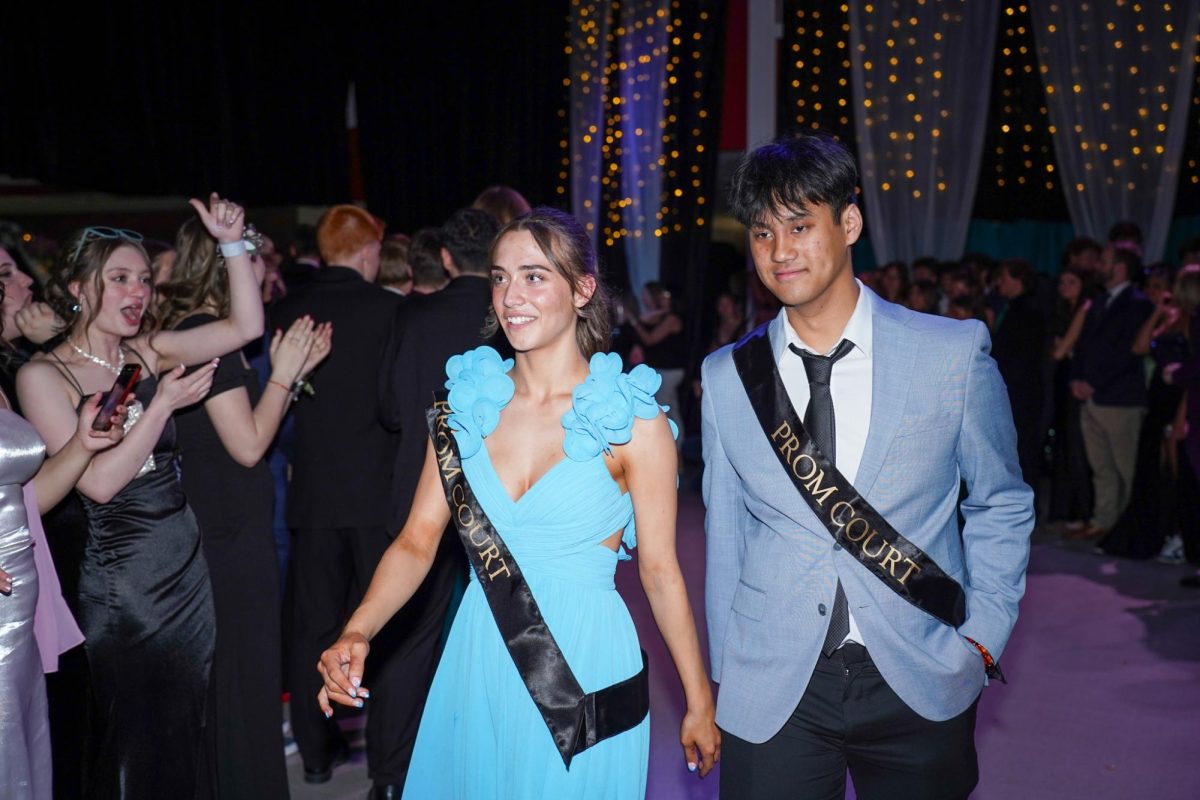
231	490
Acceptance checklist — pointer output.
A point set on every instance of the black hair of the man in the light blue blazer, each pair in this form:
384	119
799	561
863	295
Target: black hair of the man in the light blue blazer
791	173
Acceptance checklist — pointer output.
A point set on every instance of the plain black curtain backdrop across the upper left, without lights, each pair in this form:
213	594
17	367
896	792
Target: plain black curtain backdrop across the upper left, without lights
177	99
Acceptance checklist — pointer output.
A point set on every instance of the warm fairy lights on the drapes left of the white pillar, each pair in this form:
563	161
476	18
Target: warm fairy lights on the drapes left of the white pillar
603	34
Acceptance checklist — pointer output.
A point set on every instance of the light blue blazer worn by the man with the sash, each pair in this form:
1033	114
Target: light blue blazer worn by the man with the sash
940	416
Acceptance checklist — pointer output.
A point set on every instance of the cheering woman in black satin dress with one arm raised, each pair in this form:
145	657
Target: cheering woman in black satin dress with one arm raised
146	600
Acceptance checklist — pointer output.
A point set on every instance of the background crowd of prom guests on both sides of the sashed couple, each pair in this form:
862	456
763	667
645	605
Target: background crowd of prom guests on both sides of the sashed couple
292	442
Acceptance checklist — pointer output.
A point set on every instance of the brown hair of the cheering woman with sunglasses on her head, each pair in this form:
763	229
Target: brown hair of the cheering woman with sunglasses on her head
82	261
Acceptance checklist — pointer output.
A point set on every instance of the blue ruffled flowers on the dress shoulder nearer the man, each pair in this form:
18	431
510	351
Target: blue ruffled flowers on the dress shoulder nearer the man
605	405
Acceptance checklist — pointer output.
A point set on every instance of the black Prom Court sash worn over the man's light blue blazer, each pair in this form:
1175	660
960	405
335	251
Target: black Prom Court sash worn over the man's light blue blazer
862	531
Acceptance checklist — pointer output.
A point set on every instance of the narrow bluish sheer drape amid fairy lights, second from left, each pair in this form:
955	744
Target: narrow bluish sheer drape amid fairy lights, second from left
644	59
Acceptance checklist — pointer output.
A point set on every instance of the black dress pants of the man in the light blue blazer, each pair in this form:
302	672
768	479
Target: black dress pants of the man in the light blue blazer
851	719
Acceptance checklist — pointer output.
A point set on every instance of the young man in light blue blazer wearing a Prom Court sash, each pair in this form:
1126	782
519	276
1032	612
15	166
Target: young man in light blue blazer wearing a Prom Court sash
853	633
